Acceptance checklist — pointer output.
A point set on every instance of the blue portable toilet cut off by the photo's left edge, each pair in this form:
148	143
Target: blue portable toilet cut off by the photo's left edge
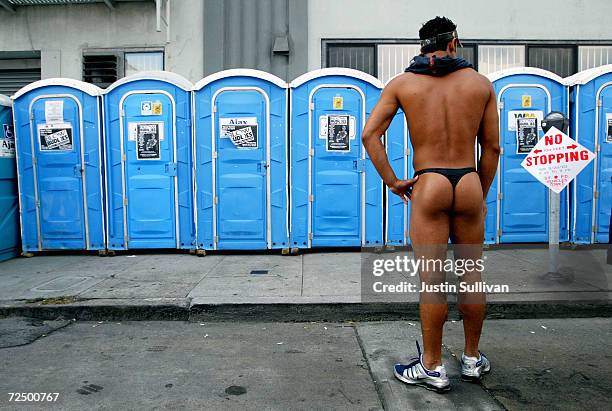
9	203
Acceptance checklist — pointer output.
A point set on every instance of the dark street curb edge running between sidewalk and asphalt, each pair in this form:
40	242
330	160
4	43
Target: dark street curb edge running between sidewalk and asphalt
182	310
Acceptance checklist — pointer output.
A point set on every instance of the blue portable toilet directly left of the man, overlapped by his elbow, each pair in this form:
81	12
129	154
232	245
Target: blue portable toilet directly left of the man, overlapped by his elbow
336	193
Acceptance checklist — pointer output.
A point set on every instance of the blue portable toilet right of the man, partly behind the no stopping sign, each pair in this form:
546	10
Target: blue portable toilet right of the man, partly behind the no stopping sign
518	203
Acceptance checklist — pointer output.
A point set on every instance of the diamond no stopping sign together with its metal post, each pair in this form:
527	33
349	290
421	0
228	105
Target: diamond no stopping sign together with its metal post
555	160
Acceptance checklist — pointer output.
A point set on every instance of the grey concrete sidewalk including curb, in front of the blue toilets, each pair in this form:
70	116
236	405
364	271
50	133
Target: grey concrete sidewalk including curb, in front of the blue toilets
271	287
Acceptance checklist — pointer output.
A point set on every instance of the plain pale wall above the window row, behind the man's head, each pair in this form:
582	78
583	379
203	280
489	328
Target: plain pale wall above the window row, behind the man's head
476	19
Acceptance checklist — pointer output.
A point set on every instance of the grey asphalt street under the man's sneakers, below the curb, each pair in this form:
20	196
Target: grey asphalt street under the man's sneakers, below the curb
553	364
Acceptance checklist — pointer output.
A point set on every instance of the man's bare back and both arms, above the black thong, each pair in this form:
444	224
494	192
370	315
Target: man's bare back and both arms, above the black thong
445	116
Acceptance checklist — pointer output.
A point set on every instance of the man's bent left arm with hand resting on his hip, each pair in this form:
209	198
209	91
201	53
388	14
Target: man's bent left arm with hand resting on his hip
377	124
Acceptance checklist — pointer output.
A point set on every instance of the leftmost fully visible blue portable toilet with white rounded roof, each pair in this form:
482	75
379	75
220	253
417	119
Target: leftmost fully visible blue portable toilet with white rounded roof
58	139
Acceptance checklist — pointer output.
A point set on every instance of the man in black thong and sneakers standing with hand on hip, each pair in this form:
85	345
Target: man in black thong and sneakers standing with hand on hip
447	106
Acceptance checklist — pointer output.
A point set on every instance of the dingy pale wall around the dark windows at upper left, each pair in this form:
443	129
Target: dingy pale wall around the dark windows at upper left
61	33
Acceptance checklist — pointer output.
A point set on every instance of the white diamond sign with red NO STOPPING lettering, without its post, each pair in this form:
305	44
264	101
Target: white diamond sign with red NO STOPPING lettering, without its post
557	159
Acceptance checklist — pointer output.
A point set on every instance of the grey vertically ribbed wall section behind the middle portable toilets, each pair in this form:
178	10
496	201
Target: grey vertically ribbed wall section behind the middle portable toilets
241	34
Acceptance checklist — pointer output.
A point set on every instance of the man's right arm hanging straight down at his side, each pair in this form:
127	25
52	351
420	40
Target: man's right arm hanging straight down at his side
488	137
